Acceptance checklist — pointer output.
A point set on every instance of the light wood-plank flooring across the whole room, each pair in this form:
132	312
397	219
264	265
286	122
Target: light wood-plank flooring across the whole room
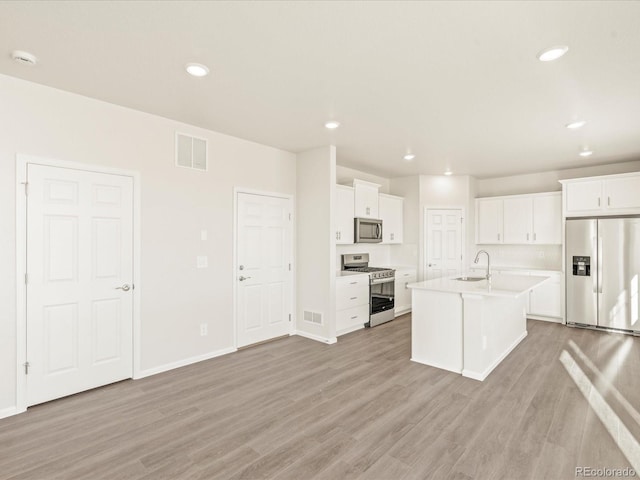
298	409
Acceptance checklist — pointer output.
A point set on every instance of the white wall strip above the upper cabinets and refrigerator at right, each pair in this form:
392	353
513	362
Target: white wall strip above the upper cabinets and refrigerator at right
547	181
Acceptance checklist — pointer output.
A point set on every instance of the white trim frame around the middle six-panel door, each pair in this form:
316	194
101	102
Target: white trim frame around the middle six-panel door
292	242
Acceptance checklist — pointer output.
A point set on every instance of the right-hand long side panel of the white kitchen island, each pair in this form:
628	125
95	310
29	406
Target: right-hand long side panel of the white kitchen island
493	327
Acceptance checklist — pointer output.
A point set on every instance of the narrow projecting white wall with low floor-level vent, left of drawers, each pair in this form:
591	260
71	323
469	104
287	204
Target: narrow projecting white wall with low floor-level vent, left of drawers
316	248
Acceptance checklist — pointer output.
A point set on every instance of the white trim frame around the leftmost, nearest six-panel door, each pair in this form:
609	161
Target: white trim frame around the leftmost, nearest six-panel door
22	162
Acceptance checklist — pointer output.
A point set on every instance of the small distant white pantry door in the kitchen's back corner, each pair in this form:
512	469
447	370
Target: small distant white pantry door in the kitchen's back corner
444	243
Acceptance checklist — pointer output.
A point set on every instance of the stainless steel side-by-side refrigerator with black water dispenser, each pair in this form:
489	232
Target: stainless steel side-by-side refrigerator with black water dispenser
603	273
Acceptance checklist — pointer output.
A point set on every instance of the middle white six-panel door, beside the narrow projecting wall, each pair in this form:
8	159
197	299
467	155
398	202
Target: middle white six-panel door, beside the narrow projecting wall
263	275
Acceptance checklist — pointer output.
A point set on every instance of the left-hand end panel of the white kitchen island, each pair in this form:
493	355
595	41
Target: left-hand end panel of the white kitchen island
436	329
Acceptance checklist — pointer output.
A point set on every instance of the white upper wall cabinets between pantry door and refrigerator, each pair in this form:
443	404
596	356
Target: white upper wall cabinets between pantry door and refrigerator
520	219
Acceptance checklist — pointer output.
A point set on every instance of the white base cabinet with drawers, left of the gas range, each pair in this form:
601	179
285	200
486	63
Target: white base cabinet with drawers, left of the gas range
352	302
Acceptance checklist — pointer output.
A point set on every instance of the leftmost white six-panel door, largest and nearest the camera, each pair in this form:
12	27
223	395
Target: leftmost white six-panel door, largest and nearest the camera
79	288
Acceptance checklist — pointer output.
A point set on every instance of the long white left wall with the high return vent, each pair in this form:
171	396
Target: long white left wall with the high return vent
176	204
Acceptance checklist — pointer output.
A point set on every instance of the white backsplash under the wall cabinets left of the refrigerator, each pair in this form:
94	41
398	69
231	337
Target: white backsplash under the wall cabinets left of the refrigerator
543	257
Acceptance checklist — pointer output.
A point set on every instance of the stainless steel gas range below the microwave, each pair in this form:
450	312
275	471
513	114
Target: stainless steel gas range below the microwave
381	287
